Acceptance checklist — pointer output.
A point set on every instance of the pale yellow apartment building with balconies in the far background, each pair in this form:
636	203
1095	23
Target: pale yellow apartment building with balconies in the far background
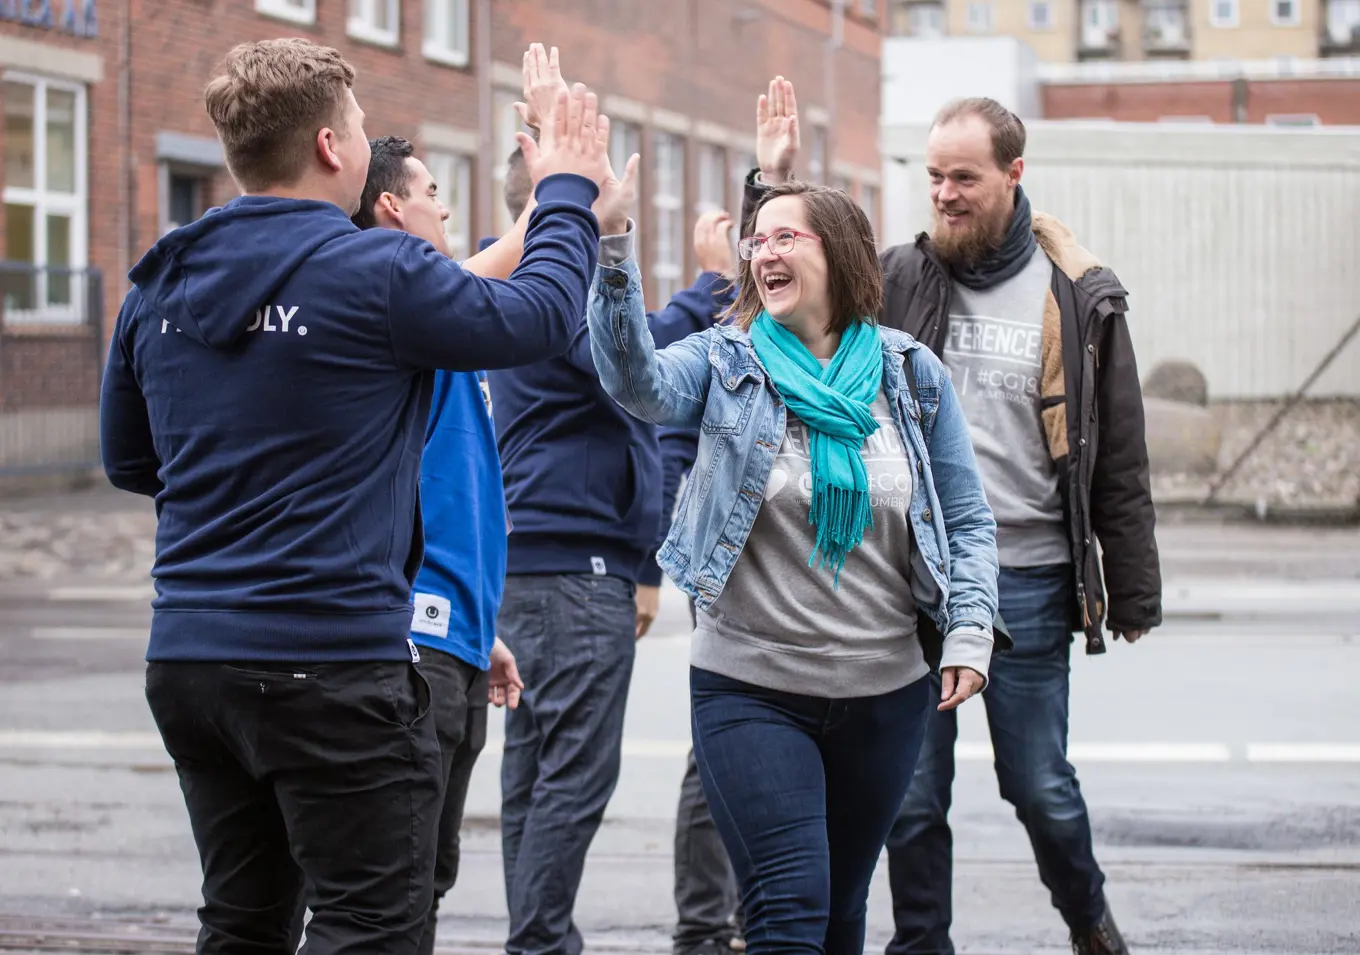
1082	31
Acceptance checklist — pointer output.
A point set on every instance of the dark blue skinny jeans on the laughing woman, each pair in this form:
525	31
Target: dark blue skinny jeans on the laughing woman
804	792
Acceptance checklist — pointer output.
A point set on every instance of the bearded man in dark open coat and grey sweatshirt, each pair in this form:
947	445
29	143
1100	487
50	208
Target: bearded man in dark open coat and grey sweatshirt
1034	331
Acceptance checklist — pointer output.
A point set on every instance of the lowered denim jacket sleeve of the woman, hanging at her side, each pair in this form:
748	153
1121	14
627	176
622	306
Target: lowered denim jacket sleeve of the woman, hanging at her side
970	529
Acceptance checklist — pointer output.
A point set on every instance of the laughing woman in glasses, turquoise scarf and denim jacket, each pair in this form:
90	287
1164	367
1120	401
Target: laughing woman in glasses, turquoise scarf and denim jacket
829	509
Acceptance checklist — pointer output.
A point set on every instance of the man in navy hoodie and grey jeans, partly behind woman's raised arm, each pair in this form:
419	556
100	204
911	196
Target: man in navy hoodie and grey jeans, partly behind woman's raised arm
584	488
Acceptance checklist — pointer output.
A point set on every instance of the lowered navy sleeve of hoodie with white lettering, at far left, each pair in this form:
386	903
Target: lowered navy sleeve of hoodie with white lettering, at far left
130	455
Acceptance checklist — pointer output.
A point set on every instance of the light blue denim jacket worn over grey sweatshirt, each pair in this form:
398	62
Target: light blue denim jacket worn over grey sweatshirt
715	383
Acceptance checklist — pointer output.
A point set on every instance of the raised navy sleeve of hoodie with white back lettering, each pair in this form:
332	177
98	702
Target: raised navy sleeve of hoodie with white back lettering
445	318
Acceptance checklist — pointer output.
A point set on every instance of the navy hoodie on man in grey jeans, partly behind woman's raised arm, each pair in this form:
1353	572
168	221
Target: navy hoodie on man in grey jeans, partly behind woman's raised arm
584	478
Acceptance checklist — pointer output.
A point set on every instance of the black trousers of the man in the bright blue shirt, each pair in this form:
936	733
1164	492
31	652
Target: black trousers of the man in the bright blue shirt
460	718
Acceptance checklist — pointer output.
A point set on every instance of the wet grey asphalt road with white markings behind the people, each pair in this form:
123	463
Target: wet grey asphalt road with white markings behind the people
1221	760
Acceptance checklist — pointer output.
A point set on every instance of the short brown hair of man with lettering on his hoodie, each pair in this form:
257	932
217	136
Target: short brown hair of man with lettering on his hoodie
269	104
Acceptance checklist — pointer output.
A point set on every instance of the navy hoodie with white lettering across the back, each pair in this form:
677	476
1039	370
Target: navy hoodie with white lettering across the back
270	383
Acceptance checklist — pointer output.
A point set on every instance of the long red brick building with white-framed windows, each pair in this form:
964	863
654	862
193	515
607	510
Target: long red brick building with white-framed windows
108	145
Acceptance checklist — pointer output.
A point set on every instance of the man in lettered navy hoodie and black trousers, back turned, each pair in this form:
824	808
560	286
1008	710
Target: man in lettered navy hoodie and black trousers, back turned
269	384
